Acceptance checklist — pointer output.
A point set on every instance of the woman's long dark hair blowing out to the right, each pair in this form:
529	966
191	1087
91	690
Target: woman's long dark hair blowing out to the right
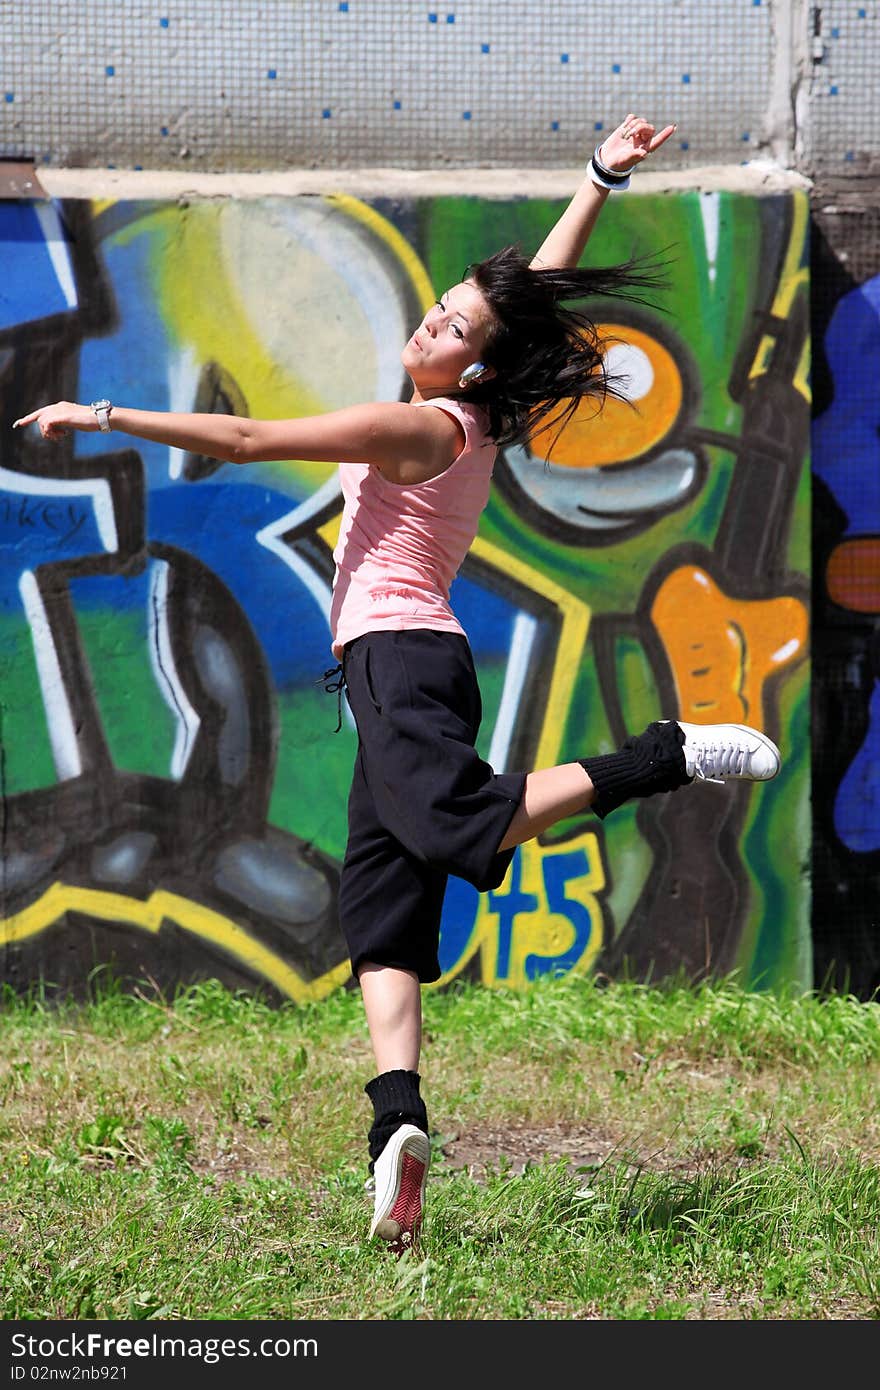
548	358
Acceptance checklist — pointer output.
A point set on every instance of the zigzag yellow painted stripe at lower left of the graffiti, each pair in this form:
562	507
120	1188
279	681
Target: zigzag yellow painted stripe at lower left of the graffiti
149	915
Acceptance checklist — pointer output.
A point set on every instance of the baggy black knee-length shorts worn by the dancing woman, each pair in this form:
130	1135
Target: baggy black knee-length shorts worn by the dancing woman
423	804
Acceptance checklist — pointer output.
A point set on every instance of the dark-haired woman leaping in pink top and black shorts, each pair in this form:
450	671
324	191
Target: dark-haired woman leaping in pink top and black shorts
498	358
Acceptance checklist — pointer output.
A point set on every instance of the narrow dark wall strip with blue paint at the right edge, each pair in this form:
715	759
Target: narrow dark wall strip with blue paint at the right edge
847	597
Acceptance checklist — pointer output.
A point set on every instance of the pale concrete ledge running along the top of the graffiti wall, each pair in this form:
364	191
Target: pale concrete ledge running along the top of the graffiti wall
757	177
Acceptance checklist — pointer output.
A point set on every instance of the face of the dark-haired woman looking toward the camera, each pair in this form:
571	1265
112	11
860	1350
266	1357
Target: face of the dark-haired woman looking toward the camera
451	337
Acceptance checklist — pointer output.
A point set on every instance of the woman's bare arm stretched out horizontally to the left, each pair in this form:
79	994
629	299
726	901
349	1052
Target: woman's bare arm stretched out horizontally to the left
407	444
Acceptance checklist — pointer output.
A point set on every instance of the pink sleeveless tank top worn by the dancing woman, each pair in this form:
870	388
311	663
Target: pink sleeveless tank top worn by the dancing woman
401	547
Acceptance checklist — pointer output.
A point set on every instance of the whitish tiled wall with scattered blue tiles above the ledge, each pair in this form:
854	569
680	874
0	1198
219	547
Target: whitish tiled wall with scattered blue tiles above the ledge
222	85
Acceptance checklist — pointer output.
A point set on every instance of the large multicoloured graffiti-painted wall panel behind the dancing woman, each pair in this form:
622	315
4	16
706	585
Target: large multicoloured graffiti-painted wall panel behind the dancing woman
174	769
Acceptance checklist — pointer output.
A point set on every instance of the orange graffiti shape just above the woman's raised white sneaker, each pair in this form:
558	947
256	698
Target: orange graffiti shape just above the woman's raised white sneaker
722	651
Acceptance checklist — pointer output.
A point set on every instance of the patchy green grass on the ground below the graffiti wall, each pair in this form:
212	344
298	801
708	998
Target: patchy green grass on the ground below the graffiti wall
600	1153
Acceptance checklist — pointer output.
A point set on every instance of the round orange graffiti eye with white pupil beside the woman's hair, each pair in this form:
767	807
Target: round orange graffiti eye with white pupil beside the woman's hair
625	429
